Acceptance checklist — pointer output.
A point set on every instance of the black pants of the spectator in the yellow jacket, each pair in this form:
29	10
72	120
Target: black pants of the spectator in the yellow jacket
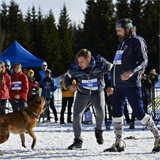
66	100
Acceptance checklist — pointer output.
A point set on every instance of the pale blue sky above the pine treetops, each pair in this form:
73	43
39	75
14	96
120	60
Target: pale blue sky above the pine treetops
75	8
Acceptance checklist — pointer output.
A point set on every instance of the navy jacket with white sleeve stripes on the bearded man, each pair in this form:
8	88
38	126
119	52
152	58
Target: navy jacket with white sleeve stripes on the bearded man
133	58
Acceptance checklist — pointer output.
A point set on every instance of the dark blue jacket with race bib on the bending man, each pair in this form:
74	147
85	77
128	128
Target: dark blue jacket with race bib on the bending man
95	75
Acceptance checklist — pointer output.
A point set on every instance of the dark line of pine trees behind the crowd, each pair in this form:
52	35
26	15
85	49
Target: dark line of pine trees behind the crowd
57	43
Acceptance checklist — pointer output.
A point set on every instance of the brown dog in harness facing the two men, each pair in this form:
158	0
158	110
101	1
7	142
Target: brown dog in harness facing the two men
22	121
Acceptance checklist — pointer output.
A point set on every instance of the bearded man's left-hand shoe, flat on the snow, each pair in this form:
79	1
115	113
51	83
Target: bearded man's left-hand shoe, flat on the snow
116	147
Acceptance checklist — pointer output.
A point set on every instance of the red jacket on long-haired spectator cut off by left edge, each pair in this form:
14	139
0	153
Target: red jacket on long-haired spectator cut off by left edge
5	87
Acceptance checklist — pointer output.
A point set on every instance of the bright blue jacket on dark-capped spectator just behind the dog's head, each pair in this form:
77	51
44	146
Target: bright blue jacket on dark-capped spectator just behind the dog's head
48	86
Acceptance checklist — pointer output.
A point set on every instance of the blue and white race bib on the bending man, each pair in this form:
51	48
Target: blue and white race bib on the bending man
91	84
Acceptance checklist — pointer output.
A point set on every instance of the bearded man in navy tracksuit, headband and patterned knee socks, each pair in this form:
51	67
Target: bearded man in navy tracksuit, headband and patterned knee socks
130	59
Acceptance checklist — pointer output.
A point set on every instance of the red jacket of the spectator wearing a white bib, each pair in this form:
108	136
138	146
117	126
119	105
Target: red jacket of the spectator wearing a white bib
24	86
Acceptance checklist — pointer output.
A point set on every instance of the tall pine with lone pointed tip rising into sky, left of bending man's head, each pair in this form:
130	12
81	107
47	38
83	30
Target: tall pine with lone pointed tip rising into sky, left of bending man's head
65	39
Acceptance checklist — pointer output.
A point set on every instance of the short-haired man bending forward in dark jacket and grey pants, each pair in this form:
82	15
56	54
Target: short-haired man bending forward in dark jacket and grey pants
88	72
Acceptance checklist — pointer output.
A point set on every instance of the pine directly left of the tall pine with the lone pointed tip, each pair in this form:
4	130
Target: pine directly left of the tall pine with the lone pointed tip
50	44
